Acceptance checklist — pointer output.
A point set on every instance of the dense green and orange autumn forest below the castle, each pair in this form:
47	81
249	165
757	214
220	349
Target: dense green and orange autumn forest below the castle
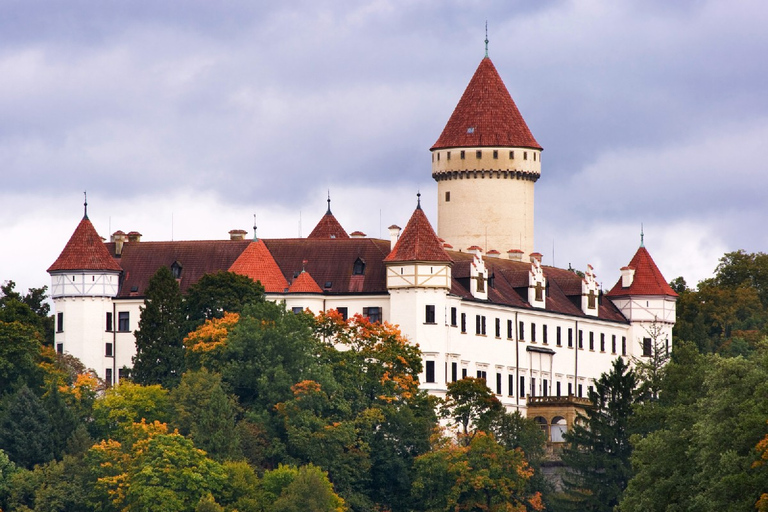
236	404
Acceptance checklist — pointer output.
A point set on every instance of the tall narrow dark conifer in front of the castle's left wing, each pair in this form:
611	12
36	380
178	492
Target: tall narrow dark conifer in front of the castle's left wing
159	355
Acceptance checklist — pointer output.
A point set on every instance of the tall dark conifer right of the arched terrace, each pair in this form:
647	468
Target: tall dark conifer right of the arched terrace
598	450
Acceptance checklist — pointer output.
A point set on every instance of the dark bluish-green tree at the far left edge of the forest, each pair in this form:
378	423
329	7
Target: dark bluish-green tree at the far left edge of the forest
25	429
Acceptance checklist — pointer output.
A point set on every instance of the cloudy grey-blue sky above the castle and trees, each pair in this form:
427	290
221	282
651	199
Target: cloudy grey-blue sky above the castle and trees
184	119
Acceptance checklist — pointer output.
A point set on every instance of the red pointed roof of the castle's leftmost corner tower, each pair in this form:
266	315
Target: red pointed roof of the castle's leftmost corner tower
85	251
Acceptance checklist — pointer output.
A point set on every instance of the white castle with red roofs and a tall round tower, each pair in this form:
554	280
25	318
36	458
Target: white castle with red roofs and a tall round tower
474	295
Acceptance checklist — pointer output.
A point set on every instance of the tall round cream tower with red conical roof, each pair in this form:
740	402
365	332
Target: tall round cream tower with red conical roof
485	163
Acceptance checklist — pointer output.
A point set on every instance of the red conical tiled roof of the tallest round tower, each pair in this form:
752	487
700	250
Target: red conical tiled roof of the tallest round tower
486	115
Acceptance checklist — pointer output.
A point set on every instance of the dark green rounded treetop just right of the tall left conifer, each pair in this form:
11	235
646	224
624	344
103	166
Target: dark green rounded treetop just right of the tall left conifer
219	293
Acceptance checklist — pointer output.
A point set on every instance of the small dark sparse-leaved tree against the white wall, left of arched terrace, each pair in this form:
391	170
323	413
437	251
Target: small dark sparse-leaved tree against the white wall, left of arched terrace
470	404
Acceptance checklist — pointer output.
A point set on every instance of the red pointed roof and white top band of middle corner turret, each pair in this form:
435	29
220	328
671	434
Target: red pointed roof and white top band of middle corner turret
418	258
